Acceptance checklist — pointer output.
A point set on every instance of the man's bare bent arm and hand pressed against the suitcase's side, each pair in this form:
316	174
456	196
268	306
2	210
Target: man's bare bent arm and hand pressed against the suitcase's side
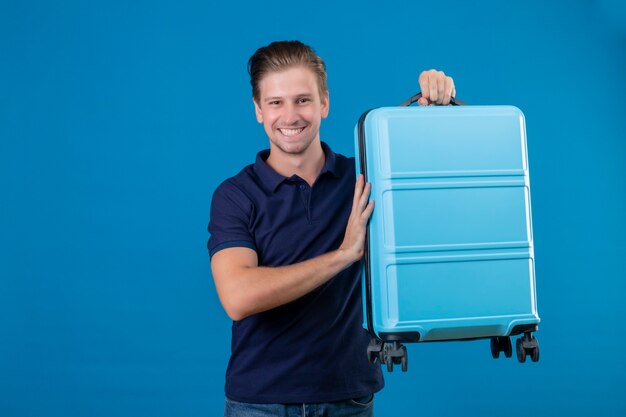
245	288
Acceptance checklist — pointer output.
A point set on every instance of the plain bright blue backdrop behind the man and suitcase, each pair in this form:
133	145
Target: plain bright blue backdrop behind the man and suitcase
119	119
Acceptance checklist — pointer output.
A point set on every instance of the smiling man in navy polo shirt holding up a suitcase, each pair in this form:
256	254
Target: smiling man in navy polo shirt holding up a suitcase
287	234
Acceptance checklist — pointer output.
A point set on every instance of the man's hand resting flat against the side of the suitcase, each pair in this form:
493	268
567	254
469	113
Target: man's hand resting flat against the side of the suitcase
353	245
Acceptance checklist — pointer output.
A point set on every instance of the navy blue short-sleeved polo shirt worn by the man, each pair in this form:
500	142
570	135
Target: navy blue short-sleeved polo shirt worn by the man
312	349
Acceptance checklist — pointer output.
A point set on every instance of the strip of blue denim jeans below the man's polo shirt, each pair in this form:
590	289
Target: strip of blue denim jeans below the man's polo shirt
358	407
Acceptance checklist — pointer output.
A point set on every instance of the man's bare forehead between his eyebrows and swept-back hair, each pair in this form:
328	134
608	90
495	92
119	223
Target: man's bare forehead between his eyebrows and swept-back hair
293	81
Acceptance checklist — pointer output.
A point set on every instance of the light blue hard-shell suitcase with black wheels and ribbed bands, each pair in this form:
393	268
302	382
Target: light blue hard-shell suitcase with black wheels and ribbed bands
449	251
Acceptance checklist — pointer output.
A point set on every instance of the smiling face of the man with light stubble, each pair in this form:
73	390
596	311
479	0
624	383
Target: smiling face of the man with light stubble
291	109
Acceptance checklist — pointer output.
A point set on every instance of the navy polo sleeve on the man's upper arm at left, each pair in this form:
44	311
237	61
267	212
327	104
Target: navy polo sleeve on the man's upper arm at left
230	219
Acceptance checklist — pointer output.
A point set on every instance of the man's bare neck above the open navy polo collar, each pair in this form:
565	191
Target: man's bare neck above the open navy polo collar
306	165
